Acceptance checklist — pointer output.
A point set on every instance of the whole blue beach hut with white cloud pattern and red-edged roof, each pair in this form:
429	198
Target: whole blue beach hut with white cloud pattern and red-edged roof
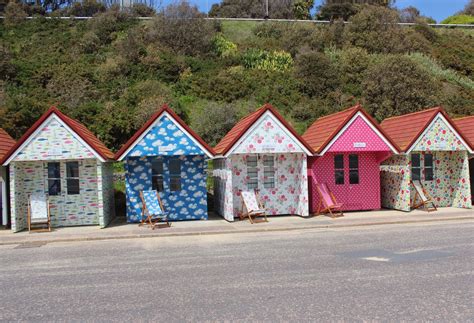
166	155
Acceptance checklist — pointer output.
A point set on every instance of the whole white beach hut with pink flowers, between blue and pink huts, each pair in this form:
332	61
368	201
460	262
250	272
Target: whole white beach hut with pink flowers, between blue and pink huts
262	151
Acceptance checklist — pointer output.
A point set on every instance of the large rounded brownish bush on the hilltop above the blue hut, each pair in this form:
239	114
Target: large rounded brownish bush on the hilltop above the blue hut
181	28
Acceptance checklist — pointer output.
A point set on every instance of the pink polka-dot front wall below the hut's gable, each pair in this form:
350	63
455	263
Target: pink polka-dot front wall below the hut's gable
362	196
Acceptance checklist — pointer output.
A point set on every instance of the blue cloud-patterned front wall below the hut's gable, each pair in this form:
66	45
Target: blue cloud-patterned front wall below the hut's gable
189	203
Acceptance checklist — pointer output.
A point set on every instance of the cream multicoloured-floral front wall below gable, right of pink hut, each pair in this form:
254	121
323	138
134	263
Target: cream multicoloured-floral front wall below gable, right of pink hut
450	185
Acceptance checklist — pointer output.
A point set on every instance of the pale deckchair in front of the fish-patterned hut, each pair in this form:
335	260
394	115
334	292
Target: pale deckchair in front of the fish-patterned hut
38	213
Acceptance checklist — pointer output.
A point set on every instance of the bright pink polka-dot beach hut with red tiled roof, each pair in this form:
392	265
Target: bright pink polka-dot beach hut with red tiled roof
349	147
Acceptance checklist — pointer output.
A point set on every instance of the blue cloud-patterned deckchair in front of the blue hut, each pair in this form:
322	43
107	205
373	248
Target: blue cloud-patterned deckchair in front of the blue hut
153	211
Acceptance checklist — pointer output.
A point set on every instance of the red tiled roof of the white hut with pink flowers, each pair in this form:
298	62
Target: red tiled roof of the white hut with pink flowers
231	138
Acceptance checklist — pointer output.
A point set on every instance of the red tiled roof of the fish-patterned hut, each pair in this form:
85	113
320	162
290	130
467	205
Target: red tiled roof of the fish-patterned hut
76	126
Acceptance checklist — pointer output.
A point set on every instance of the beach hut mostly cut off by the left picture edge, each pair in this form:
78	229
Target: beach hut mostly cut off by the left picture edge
6	143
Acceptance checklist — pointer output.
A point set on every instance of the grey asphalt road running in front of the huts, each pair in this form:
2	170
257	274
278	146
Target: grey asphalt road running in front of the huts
403	272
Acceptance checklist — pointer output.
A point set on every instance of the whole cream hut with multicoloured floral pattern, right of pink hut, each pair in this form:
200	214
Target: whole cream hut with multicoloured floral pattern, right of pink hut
433	152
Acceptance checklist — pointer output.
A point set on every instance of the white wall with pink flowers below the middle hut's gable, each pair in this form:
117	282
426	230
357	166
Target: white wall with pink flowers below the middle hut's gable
290	194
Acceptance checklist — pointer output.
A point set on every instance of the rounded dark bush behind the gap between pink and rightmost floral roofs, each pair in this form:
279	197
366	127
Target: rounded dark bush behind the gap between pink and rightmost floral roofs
397	85
